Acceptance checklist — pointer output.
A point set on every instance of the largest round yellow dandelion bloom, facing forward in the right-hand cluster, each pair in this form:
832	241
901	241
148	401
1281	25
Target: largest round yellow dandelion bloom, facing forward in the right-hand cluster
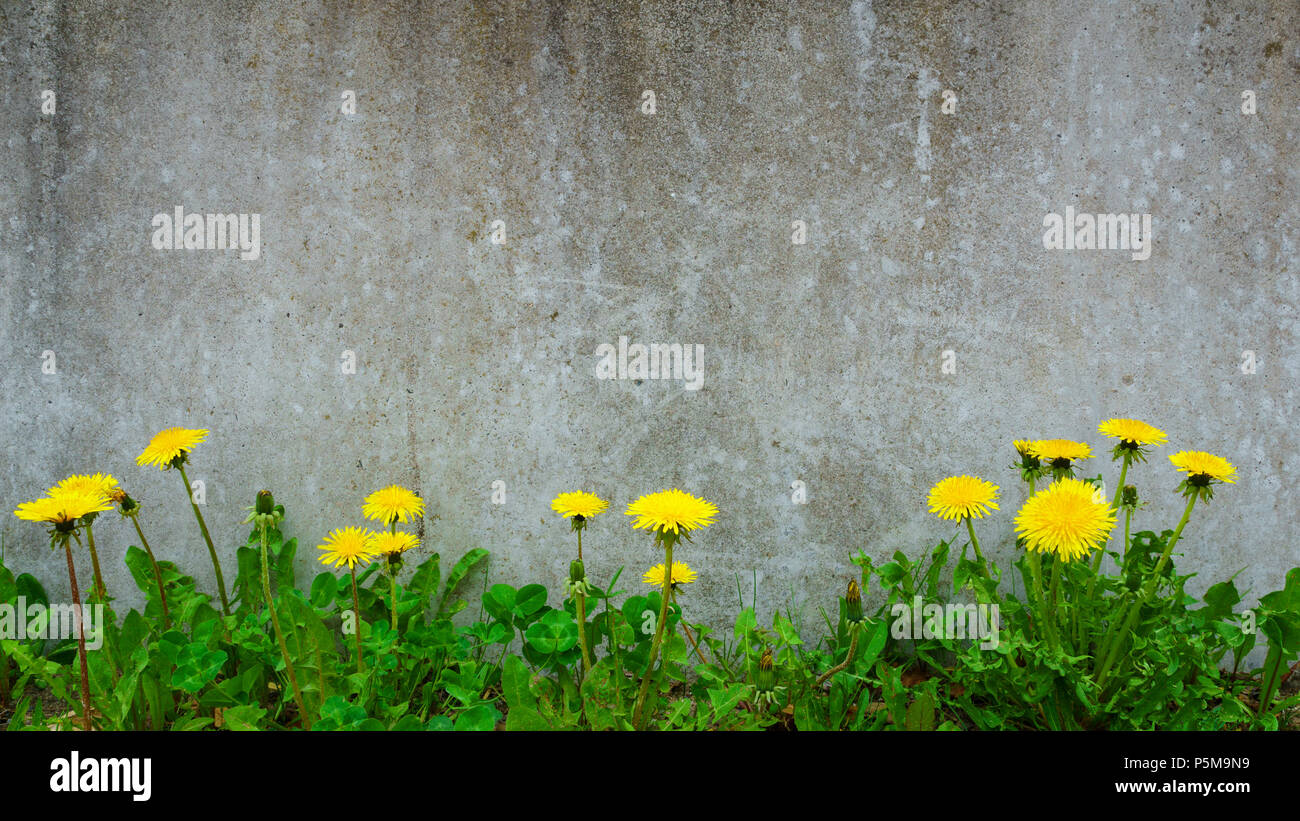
1069	519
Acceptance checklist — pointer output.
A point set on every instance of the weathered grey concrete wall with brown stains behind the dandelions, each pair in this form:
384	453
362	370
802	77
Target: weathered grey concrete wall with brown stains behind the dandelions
476	362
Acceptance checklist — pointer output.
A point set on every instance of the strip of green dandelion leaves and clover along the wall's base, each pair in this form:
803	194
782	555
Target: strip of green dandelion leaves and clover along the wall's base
519	664
